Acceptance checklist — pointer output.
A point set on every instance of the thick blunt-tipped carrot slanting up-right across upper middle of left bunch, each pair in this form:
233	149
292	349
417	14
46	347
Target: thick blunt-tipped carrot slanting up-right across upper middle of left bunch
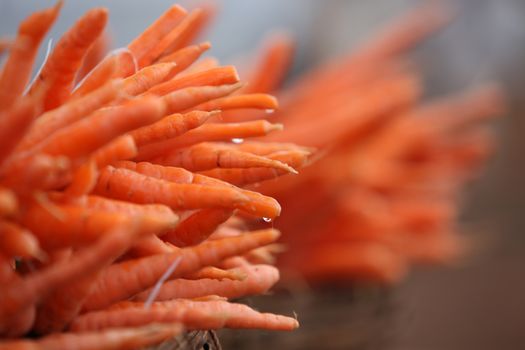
101	127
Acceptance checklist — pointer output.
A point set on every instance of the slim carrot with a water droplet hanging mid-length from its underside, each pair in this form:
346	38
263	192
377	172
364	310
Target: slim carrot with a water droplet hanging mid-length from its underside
221	132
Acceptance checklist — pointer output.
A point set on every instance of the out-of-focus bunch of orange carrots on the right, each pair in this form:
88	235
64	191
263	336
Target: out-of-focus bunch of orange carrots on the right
384	189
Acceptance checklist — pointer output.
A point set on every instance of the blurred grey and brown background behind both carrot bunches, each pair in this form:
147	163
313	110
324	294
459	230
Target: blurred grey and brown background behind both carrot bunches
478	303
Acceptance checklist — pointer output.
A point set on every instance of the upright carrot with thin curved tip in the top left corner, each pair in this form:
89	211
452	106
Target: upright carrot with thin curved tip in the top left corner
17	69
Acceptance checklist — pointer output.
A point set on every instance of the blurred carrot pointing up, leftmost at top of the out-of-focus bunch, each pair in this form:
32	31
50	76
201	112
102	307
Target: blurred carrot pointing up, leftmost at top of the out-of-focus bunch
273	65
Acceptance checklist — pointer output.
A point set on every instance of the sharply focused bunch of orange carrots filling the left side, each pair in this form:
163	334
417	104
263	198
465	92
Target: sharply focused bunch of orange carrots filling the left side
116	173
